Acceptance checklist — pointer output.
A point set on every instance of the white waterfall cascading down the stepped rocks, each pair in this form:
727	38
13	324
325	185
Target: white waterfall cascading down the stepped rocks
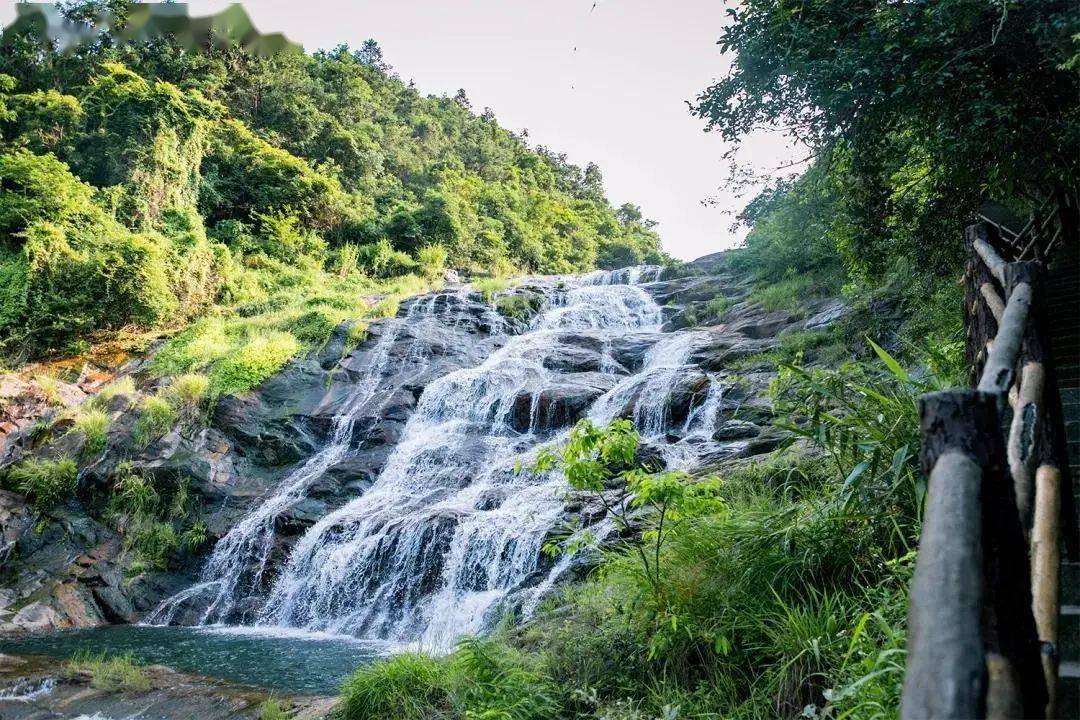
449	531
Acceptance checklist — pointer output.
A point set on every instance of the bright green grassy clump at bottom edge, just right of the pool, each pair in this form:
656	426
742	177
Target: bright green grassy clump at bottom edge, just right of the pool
407	687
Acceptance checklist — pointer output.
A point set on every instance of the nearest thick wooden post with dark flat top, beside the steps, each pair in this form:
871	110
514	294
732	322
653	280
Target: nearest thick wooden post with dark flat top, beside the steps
947	671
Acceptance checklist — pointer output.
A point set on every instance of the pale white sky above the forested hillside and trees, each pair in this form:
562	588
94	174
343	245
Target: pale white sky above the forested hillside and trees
605	84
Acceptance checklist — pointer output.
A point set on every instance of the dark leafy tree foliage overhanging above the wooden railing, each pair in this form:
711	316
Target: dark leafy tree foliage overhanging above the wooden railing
916	113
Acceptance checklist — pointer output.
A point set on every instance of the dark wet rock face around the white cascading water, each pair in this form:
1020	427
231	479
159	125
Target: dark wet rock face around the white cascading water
76	572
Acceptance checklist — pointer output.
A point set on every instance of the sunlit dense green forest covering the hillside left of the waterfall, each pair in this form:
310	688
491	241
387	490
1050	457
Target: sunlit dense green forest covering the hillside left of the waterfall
147	185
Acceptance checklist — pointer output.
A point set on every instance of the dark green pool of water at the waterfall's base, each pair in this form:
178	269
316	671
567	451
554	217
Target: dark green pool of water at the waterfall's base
275	659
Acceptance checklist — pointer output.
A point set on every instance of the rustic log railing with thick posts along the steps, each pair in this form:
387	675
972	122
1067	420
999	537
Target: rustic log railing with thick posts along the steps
984	601
